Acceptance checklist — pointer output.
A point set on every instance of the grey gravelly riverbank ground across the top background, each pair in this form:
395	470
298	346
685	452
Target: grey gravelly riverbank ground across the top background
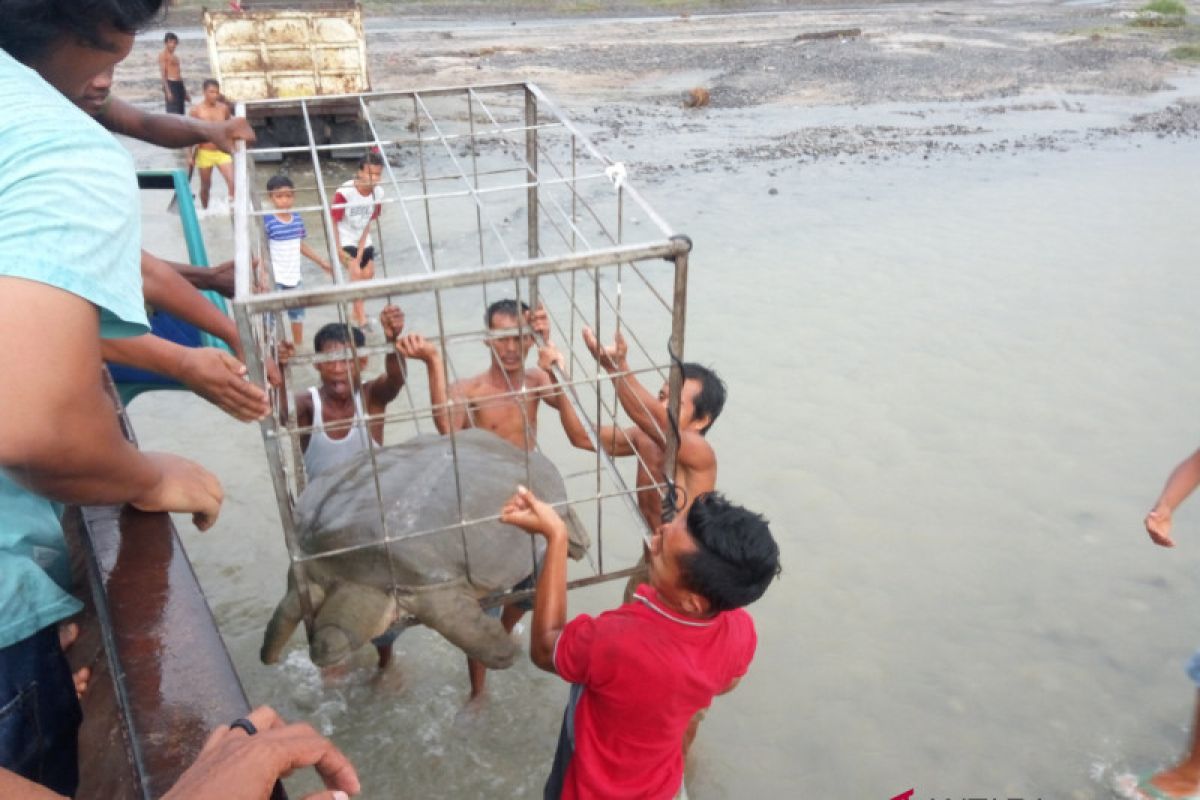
1018	57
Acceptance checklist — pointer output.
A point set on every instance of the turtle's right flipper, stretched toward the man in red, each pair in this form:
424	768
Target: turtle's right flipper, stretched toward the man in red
454	612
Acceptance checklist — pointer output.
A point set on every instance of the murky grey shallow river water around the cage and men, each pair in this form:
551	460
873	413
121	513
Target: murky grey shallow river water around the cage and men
957	386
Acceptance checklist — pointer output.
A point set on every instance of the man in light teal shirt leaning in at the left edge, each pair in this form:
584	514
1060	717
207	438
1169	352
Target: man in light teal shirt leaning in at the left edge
70	238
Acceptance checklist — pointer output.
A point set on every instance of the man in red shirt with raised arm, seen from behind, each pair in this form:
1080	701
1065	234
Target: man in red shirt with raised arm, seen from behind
643	671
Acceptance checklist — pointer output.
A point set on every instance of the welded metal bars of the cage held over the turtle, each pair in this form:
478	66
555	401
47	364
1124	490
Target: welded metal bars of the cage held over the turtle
260	310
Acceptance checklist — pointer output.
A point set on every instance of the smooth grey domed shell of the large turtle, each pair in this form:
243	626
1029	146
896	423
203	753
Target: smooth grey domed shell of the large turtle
436	503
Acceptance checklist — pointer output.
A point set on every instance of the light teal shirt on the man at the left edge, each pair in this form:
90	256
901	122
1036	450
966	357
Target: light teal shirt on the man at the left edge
70	218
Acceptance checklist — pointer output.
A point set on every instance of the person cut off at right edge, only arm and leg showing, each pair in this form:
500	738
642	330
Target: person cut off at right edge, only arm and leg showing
1184	779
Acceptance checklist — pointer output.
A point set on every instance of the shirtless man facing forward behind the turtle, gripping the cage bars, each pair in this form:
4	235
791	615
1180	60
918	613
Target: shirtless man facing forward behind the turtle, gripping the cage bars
502	400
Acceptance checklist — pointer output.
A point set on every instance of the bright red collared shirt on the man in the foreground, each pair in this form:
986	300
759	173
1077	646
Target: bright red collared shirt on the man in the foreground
646	671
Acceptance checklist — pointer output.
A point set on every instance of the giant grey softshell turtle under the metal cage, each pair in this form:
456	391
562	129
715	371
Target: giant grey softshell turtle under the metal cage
439	569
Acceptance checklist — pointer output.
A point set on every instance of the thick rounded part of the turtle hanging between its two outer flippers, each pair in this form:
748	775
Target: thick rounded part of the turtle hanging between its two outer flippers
352	616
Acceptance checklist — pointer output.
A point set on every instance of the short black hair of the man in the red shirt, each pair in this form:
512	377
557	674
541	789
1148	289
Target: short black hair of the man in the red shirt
736	557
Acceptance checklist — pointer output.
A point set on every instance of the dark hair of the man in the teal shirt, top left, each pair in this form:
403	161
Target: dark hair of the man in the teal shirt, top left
28	28
